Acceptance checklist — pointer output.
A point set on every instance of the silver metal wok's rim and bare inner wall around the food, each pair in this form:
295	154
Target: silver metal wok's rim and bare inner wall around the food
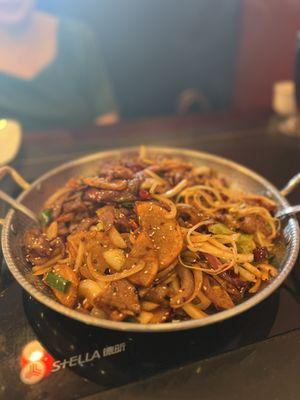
15	224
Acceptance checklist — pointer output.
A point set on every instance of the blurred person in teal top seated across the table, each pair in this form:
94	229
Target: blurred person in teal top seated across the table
50	70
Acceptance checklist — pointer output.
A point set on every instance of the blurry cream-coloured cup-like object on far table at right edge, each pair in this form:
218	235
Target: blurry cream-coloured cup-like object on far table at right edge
284	100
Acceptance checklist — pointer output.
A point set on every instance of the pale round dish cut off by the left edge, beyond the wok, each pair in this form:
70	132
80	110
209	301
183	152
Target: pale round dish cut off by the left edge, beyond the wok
10	140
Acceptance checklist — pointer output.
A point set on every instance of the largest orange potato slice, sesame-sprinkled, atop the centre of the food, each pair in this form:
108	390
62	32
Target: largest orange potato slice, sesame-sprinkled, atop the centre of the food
165	233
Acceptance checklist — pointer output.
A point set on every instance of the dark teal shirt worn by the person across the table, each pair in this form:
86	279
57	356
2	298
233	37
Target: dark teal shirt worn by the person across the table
72	90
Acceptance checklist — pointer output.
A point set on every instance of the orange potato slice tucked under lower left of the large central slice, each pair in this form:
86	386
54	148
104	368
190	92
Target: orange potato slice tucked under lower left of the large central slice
143	250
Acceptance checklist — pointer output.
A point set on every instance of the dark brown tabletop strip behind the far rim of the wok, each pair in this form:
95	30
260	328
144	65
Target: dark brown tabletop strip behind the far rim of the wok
242	137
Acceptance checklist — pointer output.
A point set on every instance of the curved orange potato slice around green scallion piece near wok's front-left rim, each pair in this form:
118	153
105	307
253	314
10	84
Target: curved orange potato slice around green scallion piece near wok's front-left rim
69	298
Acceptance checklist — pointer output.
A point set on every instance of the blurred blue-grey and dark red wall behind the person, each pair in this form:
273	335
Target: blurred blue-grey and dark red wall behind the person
230	51
